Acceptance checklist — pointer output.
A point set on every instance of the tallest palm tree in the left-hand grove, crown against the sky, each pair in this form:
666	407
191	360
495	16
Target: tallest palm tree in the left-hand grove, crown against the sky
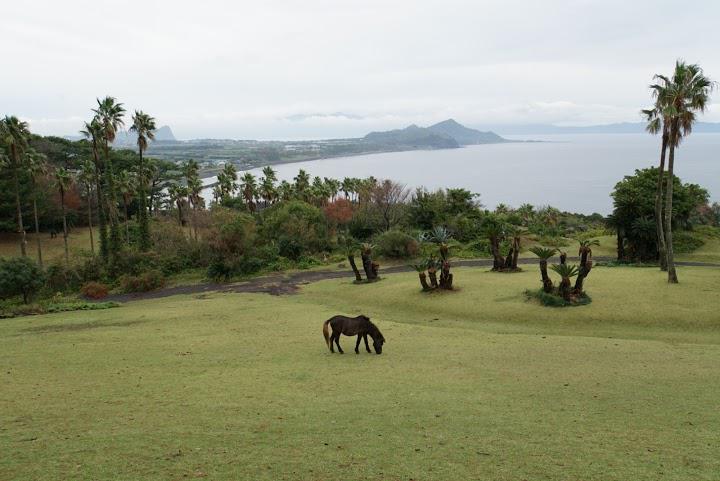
109	114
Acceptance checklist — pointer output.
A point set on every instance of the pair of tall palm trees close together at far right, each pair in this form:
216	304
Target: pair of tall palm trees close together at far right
677	101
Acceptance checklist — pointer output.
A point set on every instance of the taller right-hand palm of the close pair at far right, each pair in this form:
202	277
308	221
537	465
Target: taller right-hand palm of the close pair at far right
685	95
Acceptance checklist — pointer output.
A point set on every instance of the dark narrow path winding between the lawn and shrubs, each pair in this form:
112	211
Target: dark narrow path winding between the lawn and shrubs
279	284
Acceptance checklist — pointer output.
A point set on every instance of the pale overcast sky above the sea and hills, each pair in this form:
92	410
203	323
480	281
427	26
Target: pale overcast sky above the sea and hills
275	69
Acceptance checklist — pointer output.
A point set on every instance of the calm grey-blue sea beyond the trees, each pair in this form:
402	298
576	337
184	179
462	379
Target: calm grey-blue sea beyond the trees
571	172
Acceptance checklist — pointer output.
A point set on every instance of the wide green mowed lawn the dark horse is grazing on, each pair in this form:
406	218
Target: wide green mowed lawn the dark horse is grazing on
473	384
